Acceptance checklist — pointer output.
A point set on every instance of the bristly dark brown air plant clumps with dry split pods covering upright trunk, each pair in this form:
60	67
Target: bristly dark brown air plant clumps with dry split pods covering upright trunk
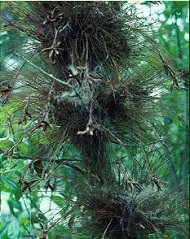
89	81
